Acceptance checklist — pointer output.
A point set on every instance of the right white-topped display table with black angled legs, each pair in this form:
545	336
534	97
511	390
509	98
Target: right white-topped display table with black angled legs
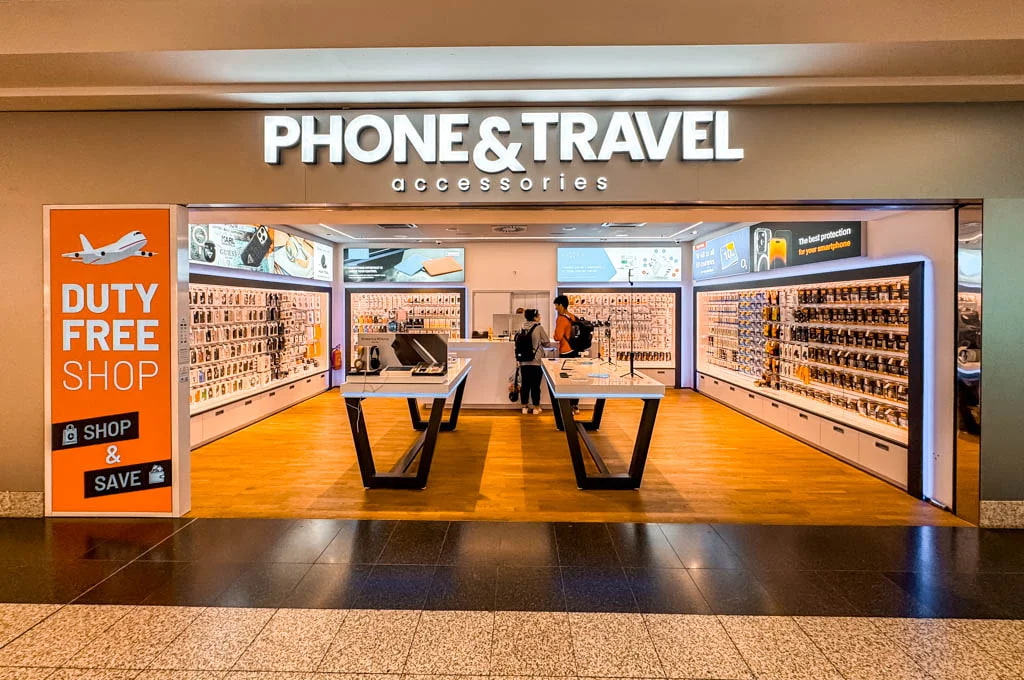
583	378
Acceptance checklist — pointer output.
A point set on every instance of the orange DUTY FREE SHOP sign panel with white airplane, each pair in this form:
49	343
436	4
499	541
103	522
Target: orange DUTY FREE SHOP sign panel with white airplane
113	345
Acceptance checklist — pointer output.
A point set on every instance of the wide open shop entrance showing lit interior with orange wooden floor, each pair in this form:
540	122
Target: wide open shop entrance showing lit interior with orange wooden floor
803	390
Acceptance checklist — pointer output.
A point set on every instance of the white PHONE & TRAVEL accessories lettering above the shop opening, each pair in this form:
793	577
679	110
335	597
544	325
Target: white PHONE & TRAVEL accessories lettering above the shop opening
513	155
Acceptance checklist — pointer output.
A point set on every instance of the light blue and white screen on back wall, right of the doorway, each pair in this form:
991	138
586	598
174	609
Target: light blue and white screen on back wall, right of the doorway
599	266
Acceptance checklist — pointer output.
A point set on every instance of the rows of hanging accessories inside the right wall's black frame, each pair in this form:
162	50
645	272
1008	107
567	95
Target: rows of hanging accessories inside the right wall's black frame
845	345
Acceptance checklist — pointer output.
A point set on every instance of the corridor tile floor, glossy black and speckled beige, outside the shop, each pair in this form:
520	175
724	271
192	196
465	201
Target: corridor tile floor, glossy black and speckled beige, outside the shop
304	600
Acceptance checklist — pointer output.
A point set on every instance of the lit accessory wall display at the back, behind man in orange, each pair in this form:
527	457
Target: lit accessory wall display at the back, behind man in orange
654	318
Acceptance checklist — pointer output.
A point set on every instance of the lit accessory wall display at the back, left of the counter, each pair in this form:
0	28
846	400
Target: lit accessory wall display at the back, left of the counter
439	313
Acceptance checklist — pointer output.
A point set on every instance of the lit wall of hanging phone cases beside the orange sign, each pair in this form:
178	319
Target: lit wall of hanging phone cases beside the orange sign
246	339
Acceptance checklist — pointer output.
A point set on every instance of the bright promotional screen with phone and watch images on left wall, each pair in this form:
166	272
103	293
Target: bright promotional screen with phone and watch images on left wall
260	248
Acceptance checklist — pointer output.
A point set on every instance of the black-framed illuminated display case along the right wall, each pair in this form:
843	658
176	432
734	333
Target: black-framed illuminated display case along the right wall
845	348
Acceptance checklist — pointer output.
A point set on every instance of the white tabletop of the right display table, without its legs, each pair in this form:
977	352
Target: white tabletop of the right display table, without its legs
590	378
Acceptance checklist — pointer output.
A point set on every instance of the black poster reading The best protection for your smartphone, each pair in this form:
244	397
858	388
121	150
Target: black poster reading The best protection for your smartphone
782	245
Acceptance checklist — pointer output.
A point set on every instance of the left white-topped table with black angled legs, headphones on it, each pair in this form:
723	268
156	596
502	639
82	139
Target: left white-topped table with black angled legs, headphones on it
359	389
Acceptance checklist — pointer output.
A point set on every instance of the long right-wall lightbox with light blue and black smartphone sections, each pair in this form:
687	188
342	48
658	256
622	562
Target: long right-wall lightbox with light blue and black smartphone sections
771	246
